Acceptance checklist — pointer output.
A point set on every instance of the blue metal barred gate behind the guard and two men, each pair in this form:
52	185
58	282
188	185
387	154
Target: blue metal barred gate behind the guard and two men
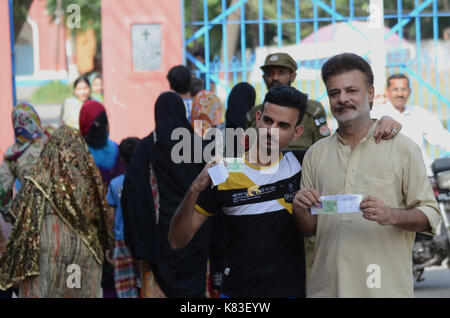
414	42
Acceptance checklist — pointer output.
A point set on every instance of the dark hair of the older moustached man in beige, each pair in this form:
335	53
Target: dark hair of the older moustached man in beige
346	62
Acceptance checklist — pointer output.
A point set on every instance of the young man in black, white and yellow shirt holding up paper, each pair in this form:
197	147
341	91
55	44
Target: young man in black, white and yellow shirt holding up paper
264	255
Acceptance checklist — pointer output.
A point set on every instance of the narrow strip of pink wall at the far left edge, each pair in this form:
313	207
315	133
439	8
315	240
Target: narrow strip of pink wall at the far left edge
6	99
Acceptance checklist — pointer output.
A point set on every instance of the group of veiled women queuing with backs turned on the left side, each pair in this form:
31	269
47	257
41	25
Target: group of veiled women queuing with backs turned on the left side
65	230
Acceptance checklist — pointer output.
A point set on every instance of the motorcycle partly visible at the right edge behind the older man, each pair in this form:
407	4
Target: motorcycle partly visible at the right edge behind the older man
434	250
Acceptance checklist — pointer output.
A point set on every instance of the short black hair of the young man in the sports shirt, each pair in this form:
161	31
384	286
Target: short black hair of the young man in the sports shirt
289	97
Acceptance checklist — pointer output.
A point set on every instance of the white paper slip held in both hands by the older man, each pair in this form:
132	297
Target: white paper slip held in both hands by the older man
342	203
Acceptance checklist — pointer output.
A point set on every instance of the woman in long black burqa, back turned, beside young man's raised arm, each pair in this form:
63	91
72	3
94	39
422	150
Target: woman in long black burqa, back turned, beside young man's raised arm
148	209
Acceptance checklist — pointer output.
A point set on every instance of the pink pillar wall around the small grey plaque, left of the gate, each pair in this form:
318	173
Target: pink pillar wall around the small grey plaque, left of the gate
129	95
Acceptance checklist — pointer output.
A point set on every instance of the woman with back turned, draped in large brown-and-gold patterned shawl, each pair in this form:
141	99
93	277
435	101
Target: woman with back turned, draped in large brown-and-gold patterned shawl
63	224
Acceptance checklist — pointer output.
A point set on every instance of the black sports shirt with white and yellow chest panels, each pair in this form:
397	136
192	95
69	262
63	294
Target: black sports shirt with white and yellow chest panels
264	253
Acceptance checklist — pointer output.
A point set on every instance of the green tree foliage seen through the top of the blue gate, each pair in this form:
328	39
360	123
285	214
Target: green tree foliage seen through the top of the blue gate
194	16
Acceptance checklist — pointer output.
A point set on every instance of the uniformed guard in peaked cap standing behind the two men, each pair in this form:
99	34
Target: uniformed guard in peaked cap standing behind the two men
280	69
